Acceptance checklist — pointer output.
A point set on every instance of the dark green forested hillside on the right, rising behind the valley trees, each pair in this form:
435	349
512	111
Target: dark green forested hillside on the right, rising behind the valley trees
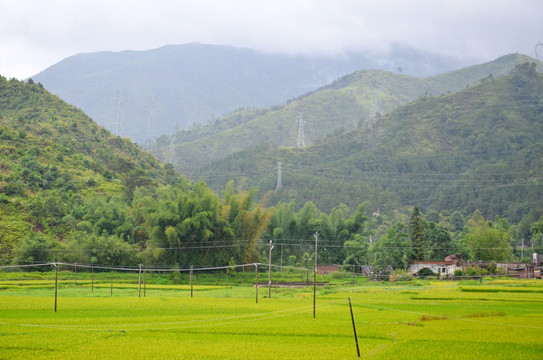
479	148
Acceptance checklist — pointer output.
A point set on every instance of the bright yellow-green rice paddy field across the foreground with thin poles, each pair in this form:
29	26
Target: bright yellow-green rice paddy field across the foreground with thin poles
492	319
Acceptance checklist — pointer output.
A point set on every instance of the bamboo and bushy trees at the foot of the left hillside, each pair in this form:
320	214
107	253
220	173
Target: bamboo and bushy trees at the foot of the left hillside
163	225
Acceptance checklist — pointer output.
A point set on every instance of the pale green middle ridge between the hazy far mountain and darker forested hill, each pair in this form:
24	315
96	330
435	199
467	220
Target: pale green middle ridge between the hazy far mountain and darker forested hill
350	102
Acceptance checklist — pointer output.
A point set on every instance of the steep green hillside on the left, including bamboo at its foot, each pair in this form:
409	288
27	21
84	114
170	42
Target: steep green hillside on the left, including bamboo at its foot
72	191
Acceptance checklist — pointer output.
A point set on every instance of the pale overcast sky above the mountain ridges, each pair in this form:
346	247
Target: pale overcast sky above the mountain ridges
35	34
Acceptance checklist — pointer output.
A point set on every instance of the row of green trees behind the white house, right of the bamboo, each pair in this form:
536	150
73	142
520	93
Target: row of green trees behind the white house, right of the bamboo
355	239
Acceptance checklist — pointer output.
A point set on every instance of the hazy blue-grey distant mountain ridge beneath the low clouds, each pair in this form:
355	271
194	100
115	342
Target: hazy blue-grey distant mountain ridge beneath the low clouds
145	94
